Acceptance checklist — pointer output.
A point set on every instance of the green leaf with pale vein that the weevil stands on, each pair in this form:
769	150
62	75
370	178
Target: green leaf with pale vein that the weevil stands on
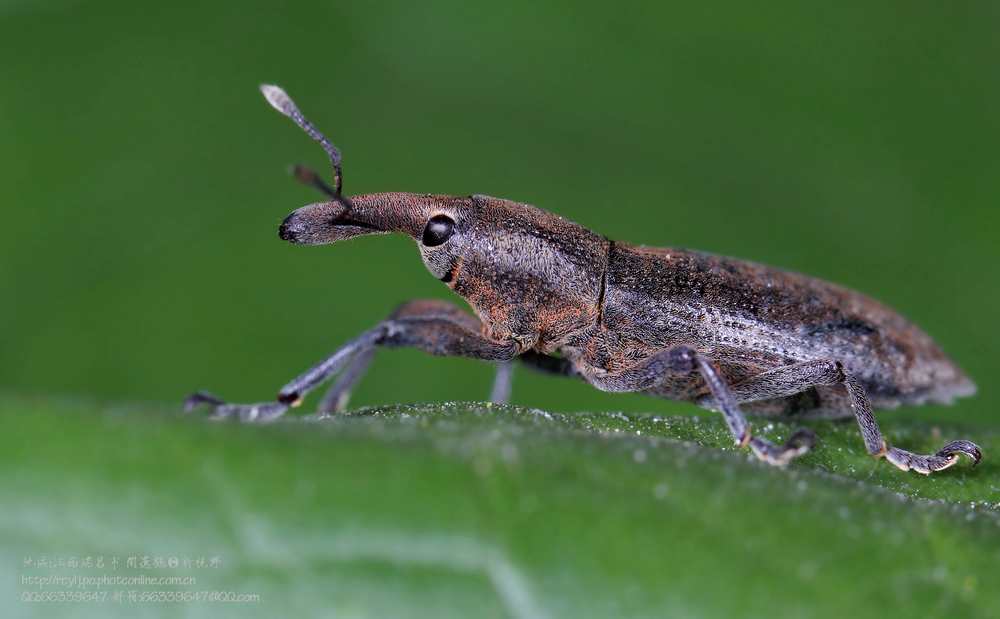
492	511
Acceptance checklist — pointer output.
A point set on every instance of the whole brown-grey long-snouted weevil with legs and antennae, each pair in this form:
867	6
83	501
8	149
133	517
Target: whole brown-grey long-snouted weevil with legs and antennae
724	334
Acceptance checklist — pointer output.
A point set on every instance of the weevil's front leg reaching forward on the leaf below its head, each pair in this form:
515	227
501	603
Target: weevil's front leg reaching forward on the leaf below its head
435	327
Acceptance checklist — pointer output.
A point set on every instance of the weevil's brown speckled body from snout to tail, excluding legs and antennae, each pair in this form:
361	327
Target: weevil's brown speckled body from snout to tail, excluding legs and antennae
553	286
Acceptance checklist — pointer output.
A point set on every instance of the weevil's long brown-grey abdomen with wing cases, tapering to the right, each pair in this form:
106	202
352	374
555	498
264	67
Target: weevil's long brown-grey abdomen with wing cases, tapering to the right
750	318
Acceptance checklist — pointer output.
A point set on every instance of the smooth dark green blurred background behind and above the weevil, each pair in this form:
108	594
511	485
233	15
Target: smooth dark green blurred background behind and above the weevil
142	175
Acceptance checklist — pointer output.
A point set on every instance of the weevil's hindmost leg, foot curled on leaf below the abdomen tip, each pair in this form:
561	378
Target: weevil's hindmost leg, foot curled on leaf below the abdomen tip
792	379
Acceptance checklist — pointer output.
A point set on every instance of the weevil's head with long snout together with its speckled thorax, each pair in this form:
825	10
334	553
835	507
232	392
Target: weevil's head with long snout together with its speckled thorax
527	273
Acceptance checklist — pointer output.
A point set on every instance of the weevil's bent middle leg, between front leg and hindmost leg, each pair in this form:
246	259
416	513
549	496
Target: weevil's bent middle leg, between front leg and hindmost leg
683	359
